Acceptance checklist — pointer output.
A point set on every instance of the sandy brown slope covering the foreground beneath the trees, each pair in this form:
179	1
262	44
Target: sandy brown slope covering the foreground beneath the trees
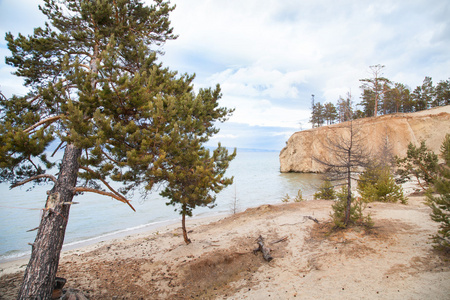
394	260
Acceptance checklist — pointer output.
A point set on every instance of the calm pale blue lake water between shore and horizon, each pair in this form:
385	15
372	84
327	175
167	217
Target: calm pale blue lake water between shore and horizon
257	181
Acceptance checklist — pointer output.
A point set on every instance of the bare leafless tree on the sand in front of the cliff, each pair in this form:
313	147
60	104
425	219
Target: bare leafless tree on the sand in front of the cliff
348	155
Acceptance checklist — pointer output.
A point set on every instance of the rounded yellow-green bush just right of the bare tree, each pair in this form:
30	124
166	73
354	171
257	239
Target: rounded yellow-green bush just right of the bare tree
378	184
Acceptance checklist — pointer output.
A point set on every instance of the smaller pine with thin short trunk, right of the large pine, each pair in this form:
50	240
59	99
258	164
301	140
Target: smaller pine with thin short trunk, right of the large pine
193	175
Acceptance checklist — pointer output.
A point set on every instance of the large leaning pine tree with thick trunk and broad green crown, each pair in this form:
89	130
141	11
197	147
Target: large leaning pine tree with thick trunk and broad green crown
97	89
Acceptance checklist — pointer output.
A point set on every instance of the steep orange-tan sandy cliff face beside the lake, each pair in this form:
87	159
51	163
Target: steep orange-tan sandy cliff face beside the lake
400	129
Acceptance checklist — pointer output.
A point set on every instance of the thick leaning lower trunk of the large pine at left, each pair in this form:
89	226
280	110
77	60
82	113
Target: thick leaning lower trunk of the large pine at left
41	271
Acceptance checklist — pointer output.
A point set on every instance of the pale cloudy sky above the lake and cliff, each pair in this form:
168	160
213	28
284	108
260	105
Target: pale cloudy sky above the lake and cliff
270	56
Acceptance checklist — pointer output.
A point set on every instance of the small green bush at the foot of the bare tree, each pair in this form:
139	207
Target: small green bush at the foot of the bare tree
356	210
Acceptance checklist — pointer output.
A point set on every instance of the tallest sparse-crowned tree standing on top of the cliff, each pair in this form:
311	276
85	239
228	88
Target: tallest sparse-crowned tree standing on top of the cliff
374	89
